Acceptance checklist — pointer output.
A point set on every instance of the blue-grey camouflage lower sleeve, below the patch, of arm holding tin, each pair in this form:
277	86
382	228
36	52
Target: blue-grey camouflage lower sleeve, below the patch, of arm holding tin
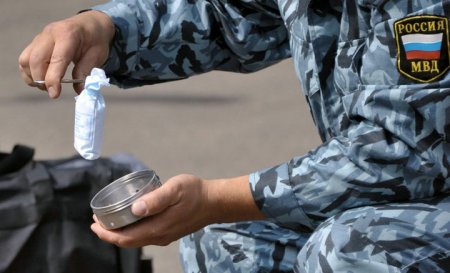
384	156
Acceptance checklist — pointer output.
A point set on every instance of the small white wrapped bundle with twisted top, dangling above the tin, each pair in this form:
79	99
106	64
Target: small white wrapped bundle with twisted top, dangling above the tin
89	116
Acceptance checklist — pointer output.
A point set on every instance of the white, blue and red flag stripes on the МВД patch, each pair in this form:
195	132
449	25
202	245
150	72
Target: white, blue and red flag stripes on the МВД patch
422	46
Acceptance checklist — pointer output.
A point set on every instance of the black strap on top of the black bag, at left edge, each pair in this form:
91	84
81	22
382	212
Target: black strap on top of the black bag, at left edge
17	159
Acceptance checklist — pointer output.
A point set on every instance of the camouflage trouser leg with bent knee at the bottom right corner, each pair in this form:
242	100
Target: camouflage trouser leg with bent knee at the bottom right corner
410	237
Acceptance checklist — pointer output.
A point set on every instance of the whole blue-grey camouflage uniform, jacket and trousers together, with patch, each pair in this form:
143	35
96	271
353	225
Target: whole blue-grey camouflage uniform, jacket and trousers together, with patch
374	197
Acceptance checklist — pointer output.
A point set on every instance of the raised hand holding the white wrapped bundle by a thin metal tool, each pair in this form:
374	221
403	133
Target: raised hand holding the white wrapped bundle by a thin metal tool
83	40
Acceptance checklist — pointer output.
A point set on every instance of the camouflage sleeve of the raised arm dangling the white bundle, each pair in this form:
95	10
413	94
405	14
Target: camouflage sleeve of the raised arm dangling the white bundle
166	40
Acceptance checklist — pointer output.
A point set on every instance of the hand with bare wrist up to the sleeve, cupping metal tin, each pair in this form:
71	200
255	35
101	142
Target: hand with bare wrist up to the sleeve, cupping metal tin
183	205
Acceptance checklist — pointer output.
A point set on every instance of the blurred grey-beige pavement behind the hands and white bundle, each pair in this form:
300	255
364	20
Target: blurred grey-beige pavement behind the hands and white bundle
214	125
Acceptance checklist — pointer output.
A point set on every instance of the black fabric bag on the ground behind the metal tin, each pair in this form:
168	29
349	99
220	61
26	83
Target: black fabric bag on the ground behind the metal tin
45	216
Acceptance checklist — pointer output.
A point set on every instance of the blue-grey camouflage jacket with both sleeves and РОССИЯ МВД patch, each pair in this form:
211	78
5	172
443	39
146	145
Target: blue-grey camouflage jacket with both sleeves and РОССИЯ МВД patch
375	74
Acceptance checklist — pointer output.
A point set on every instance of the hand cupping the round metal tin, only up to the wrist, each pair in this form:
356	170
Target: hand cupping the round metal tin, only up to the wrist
173	210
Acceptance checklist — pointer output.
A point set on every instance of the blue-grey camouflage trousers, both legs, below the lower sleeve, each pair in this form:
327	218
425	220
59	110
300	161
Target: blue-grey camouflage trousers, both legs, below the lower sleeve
396	237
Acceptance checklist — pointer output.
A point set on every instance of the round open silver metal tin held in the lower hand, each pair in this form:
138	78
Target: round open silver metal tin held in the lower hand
112	204
